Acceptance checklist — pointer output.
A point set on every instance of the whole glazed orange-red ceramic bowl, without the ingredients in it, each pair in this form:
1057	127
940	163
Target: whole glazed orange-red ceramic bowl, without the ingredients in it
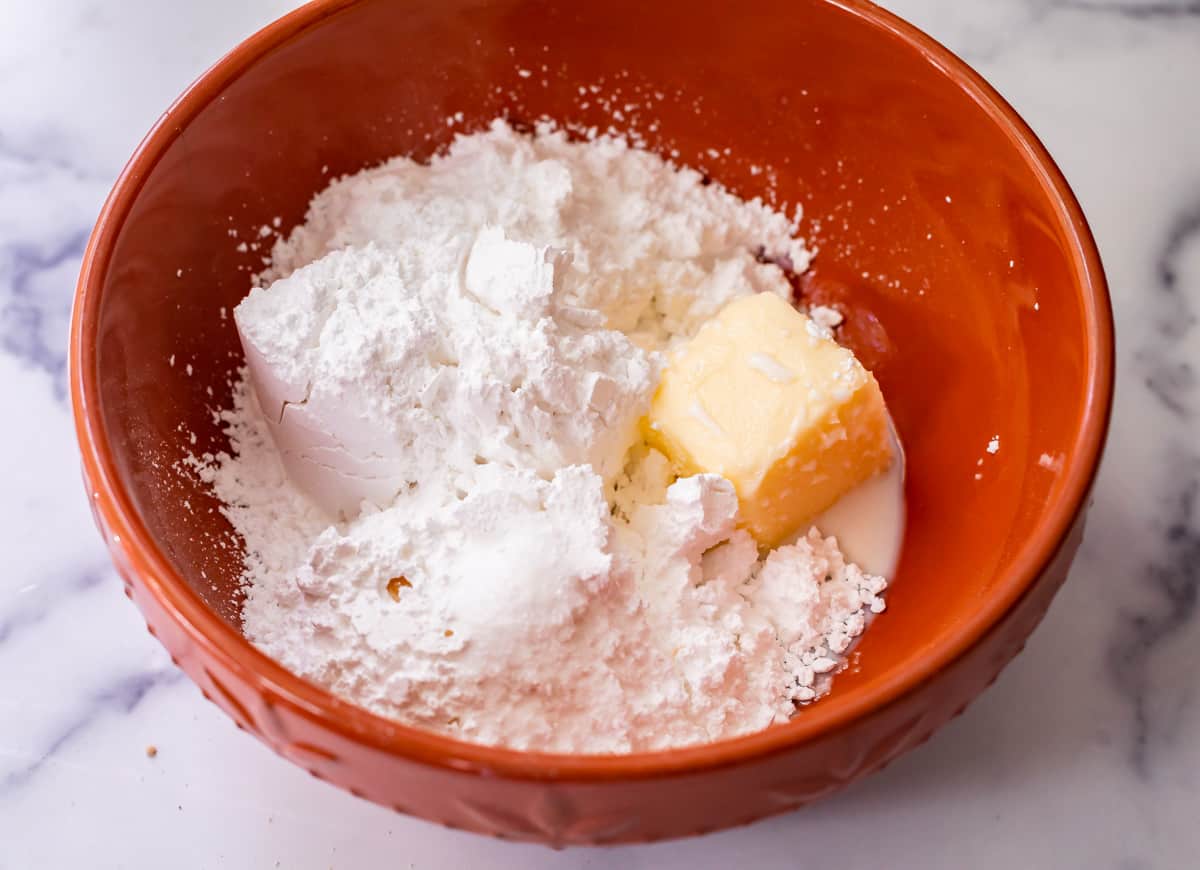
944	229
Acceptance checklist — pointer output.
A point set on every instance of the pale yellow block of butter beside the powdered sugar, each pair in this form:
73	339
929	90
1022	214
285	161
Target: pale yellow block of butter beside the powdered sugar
764	397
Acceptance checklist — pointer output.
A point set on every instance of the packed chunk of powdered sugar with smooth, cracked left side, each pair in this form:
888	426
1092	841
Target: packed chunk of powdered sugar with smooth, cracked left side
383	373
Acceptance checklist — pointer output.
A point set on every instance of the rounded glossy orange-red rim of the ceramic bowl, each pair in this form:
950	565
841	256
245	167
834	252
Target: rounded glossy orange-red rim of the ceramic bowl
238	656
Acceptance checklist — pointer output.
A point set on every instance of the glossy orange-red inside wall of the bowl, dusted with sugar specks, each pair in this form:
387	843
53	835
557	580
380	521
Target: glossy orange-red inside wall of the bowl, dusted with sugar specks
935	229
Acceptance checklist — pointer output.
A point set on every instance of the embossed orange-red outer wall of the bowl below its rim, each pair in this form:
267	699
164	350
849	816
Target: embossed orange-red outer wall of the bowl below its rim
562	813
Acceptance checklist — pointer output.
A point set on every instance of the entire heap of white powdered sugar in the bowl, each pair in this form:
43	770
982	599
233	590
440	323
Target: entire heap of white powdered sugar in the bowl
453	361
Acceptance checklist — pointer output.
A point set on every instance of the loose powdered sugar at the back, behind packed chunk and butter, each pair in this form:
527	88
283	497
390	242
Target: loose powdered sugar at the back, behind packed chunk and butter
651	248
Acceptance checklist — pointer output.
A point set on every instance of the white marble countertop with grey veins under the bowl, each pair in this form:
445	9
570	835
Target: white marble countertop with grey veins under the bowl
1085	754
